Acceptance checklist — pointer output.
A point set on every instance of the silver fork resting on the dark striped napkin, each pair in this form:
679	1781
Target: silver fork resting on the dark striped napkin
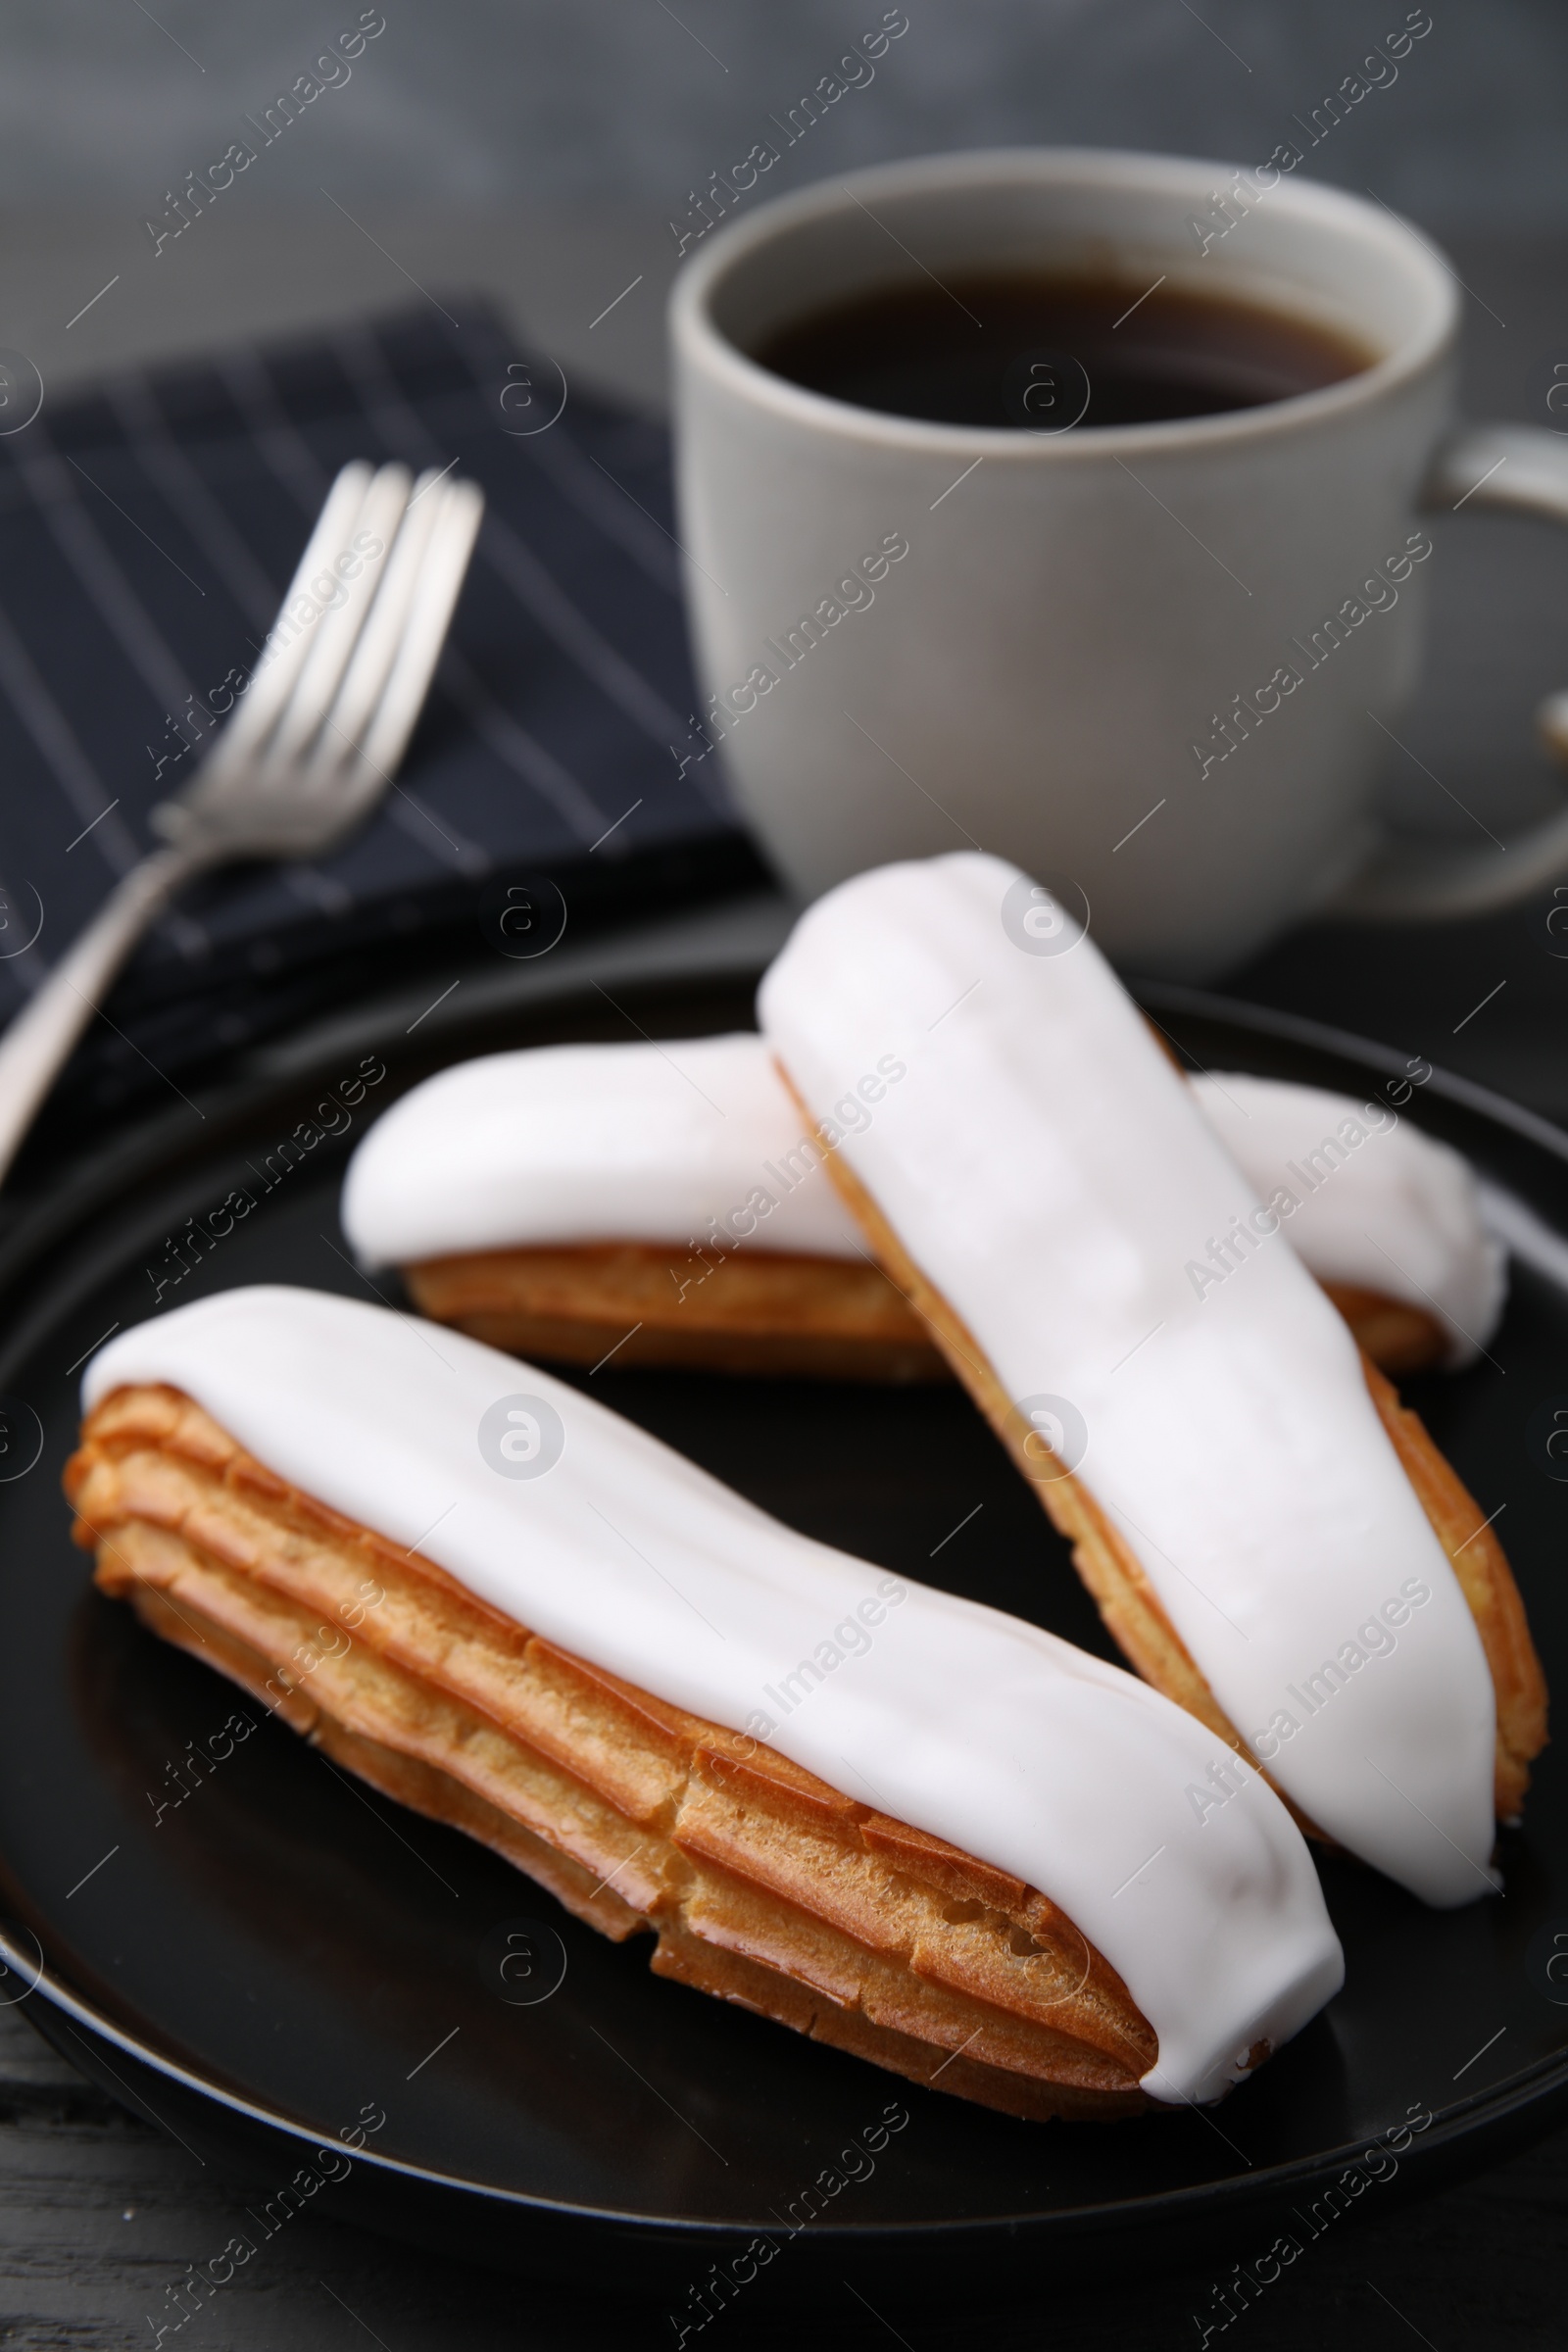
304	756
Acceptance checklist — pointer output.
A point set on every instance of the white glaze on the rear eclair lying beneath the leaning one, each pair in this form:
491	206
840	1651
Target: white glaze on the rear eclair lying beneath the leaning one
697	1142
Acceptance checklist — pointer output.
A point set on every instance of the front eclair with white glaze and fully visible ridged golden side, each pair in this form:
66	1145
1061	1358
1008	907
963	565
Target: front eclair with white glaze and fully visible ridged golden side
892	1819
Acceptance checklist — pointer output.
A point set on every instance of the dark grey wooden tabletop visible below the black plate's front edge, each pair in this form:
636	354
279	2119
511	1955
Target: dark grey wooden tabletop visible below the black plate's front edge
100	2219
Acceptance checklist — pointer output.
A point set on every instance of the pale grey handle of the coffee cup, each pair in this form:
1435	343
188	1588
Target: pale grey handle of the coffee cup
1525	472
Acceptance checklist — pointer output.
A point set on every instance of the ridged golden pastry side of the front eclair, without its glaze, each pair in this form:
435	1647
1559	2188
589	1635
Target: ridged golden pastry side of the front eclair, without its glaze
760	1883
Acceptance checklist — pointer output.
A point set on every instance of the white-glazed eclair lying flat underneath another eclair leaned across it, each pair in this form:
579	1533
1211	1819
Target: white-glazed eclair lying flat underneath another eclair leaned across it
664	1205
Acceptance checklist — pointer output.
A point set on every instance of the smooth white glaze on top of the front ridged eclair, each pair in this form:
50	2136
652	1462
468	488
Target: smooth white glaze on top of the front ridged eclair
949	1716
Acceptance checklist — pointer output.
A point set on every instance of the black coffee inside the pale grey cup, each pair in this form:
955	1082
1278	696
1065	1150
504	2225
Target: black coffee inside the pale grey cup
1052	354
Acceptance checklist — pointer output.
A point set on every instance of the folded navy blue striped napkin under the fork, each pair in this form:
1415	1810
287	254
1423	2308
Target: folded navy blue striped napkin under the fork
147	535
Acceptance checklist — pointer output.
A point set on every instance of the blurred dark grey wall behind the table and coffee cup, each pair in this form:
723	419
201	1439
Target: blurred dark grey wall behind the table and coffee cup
594	102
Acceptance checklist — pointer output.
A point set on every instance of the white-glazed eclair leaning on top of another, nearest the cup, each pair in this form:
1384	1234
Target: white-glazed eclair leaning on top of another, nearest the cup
1271	1537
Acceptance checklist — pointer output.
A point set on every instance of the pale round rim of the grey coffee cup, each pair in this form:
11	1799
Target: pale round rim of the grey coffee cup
697	338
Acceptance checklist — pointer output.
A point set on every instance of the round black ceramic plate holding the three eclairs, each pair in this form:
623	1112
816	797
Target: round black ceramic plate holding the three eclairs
283	1953
